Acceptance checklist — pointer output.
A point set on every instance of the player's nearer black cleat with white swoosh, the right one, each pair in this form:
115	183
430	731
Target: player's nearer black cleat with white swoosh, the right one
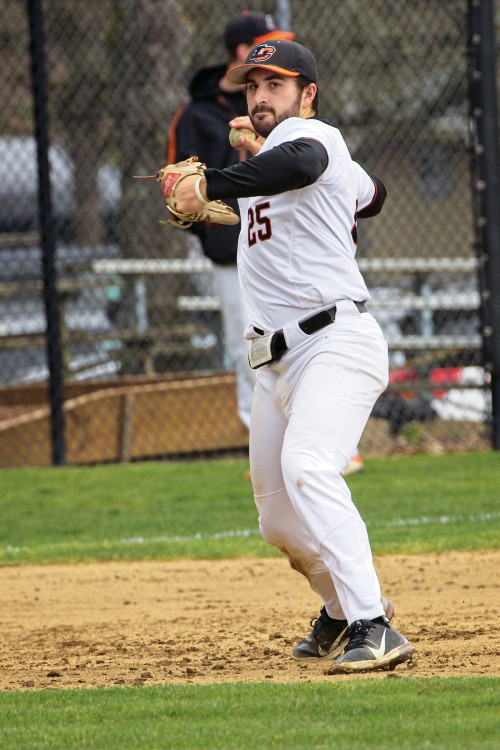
372	644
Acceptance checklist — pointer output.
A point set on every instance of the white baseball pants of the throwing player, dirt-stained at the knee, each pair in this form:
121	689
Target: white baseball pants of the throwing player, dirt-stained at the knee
308	415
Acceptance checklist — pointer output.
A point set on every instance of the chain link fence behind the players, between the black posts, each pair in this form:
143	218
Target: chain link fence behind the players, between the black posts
146	373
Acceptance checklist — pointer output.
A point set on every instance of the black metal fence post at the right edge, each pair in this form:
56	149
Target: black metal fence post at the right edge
483	115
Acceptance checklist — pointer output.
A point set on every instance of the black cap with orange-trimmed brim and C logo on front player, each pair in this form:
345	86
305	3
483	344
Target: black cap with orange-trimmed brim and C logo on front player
281	55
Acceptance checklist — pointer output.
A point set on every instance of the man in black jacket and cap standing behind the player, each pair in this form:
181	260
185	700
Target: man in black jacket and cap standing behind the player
201	129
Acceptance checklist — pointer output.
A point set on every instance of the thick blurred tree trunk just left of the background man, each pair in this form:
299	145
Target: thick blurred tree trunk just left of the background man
147	80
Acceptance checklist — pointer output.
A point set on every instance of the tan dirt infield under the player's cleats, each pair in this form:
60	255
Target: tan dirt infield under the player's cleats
96	625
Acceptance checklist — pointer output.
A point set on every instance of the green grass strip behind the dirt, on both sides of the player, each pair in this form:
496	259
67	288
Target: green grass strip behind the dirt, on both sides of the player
206	509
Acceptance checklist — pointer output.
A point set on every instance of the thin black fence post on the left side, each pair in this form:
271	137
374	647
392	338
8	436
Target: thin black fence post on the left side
47	231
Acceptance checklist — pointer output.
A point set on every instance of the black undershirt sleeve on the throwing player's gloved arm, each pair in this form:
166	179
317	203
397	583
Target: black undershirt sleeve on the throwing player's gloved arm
289	166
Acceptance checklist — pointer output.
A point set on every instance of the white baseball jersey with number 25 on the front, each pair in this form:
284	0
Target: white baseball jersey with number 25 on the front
285	275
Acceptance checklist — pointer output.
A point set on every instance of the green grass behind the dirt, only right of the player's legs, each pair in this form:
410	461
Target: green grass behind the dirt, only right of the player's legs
431	503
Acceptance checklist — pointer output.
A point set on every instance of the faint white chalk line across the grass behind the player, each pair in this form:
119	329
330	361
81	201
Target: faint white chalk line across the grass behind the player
245	533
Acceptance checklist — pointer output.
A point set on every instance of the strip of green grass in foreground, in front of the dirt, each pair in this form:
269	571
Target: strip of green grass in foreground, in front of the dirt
352	715
